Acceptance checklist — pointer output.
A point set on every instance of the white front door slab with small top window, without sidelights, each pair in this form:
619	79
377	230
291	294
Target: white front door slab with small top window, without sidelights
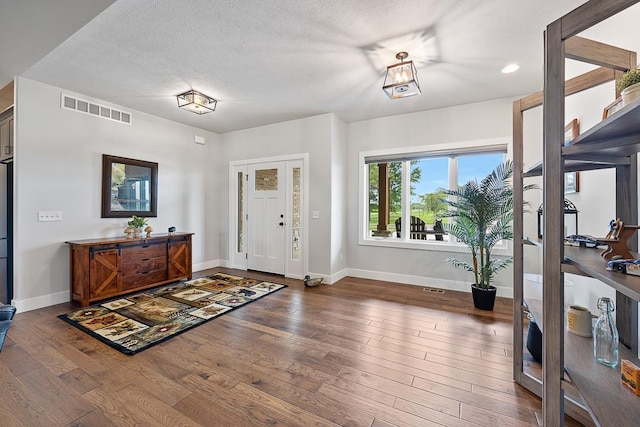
266	217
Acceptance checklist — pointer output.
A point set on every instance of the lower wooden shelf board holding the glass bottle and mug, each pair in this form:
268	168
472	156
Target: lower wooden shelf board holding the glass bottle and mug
610	402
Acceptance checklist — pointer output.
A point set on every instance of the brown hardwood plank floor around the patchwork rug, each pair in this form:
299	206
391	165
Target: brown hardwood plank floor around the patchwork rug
356	353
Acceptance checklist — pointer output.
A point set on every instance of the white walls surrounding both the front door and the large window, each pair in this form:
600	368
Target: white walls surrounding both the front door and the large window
333	148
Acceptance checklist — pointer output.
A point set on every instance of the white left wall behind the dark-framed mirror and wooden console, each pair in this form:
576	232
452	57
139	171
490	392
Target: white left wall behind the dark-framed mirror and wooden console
58	166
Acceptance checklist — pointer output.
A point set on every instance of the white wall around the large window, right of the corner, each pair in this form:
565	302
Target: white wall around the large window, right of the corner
484	120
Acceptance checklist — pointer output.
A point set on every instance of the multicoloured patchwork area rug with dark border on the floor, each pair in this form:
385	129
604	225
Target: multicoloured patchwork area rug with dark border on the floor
135	322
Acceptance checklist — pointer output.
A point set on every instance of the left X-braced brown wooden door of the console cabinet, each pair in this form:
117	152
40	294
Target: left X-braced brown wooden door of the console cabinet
104	266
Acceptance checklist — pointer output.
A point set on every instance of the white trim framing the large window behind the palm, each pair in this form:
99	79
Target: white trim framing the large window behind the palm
363	184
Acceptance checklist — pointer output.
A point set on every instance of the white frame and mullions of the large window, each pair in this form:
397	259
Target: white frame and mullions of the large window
406	154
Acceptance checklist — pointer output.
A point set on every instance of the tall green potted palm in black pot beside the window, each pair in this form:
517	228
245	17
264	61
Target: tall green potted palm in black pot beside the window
482	216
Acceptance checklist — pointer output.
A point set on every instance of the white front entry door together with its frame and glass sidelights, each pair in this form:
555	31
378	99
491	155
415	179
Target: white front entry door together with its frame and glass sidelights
267	222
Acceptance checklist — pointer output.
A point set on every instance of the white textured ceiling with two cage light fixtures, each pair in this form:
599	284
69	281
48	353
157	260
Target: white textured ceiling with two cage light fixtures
268	61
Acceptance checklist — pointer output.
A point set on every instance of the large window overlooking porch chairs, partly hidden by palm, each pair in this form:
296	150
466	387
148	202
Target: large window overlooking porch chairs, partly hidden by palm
404	201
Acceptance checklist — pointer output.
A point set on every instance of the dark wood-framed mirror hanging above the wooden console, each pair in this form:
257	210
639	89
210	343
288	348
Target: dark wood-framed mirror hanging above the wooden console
129	187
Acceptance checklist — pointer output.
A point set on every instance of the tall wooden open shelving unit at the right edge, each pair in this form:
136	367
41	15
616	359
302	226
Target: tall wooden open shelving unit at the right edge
613	143
